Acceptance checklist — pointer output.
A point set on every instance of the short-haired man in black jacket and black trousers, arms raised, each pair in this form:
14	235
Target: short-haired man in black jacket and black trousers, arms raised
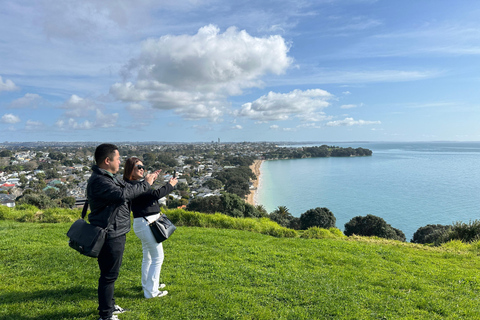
109	196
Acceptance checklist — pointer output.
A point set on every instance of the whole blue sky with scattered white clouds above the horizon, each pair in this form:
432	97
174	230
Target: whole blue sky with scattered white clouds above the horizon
202	70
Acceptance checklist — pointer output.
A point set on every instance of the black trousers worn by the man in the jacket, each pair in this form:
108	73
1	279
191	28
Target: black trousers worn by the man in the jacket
109	261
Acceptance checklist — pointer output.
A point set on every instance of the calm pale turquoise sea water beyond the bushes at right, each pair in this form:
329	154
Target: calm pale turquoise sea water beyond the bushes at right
409	185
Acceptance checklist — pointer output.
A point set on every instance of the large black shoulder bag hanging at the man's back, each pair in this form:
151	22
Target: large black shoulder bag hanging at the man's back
87	238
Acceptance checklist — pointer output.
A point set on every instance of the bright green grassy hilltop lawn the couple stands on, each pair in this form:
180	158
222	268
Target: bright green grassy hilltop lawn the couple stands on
237	274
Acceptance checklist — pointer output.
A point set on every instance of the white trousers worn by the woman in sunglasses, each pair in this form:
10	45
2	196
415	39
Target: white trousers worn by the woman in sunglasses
152	256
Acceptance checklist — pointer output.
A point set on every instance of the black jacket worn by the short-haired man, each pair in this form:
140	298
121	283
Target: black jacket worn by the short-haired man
106	194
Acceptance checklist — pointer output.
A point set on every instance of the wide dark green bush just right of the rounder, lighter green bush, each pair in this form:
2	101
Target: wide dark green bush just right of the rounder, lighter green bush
371	225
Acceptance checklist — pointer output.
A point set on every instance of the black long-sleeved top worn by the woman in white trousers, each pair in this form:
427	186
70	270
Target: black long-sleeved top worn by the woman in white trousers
147	204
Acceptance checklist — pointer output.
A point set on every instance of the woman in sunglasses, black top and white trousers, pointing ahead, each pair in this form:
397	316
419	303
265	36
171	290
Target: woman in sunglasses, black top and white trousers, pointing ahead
146	209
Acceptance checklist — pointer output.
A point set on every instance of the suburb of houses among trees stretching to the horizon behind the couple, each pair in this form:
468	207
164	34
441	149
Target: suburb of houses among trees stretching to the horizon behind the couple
66	169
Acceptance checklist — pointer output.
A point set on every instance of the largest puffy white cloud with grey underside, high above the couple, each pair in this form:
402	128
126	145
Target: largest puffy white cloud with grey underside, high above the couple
194	75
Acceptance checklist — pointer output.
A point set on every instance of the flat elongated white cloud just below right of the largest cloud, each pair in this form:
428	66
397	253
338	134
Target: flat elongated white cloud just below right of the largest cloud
282	106
